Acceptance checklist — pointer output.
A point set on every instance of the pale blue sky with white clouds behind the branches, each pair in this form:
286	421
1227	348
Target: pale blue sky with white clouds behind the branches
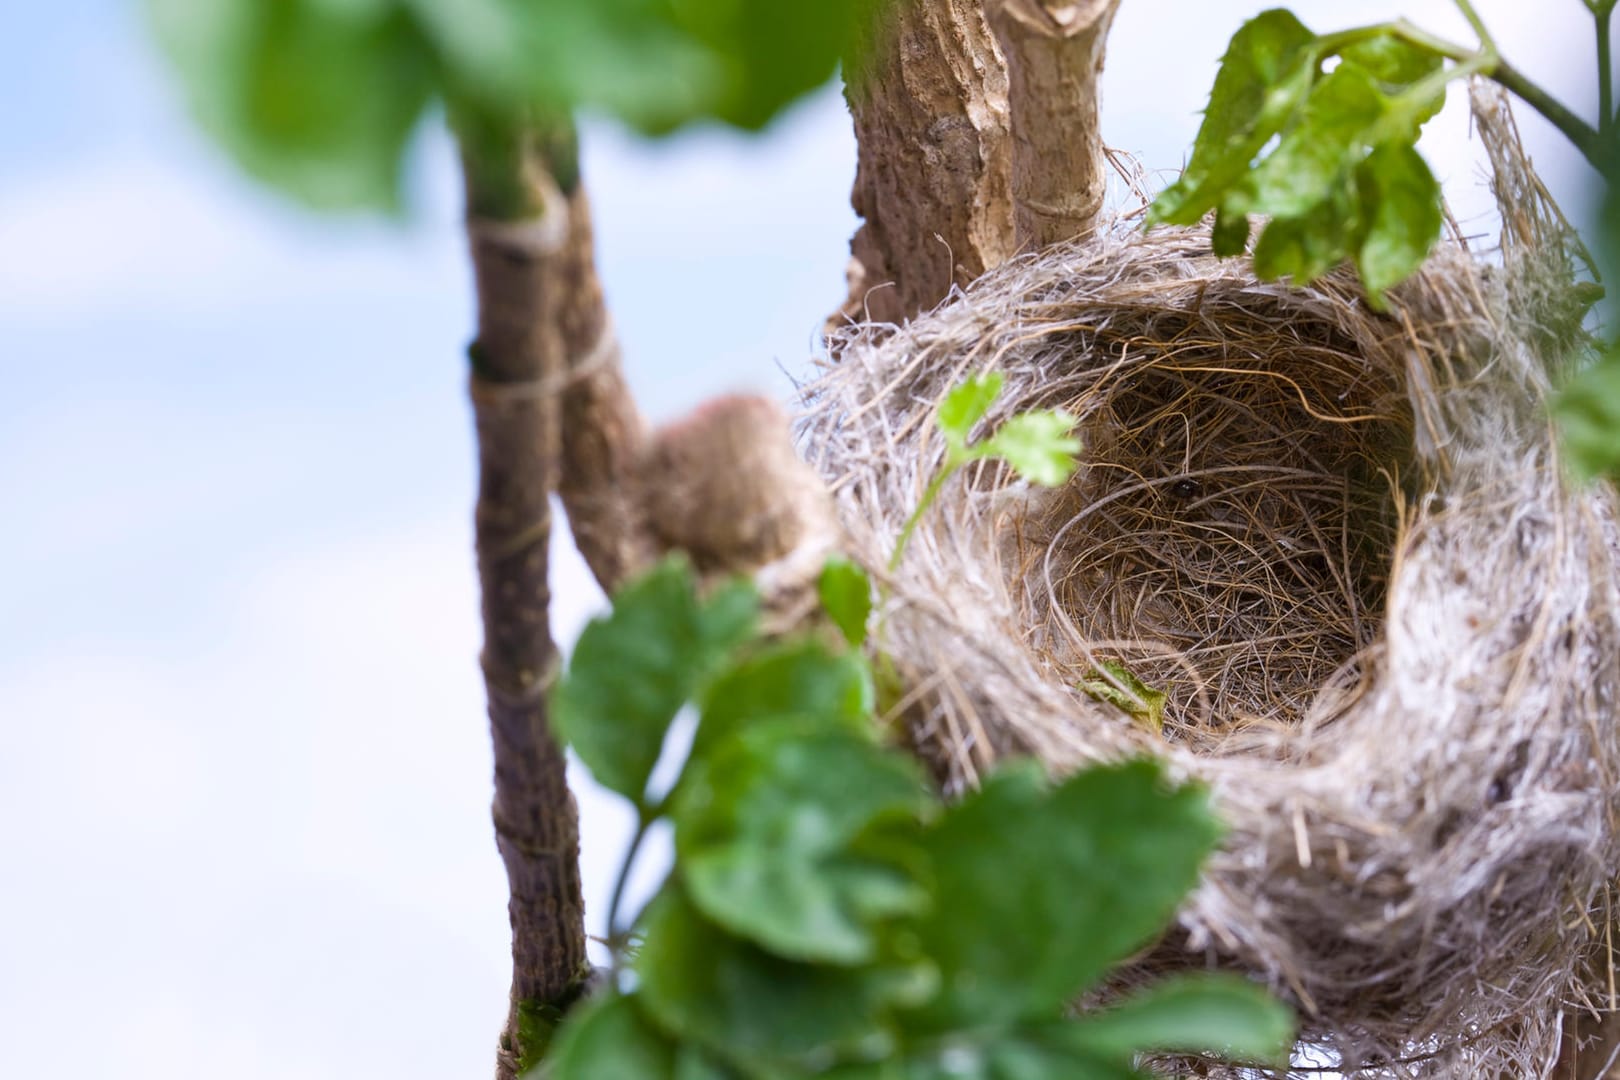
244	768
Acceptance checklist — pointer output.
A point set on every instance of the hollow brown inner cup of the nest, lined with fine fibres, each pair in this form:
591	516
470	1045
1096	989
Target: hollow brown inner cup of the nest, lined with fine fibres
1230	534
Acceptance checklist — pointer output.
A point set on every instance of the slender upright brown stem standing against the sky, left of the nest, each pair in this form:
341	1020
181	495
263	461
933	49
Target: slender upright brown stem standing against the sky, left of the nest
518	367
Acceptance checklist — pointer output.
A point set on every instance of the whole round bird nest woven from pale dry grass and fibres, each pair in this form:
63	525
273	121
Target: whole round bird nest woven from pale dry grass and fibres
1342	545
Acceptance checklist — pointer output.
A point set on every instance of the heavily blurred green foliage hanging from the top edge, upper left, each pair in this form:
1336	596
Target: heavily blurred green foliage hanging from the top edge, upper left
320	98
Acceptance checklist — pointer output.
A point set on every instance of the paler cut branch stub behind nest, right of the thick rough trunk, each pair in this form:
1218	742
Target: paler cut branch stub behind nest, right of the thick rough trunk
1054	54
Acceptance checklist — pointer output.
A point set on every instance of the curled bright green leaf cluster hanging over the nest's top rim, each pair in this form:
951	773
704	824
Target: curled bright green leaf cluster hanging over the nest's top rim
1329	159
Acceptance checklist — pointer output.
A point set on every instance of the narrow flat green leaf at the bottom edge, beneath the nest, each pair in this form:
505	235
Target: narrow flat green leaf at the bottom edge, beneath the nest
1217	1014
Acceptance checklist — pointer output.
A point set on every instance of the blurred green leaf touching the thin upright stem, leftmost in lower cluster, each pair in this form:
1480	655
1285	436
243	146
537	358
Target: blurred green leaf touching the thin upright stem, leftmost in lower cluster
634	670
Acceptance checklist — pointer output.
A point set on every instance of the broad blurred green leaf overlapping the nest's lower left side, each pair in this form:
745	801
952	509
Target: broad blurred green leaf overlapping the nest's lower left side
1044	890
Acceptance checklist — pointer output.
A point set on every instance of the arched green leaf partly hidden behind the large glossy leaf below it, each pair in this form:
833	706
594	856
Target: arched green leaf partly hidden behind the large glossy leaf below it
795	679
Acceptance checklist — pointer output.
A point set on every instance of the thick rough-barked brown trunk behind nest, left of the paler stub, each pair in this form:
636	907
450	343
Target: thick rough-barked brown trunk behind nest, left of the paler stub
929	98
